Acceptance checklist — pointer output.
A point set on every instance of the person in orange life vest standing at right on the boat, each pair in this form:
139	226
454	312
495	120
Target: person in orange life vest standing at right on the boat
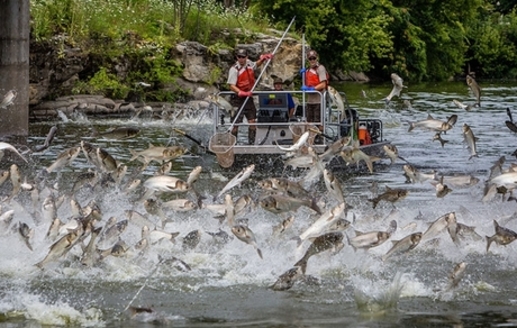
315	79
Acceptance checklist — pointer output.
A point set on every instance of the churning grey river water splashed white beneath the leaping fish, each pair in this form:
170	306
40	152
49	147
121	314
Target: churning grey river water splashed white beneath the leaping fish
228	284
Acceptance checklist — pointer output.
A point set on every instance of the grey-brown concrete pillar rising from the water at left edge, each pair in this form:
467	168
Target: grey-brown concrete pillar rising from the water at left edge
14	65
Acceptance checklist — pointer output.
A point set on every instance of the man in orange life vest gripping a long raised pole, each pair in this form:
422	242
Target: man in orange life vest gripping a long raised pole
241	78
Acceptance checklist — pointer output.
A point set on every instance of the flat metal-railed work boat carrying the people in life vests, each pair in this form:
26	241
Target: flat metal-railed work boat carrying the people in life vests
276	131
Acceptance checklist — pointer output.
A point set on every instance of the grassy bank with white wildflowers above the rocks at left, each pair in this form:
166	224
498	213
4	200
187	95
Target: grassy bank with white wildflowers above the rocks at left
143	31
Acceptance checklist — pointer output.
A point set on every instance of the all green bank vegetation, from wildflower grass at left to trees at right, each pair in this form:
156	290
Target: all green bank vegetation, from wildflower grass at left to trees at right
420	40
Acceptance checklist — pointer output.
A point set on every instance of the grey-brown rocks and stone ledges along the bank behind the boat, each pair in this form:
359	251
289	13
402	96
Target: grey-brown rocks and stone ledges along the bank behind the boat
58	64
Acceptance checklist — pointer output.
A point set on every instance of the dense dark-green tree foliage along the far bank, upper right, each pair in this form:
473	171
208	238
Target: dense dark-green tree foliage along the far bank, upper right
418	39
